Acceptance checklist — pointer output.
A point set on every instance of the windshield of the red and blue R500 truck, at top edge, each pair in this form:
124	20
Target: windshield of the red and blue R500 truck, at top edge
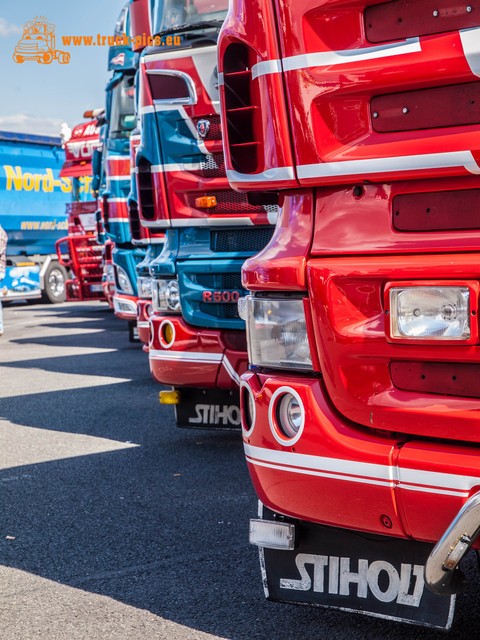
176	13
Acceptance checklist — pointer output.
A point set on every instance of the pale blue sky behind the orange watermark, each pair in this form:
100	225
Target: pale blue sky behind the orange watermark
37	98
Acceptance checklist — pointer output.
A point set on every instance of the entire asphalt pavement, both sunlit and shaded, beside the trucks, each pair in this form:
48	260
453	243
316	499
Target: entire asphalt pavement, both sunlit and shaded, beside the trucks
115	524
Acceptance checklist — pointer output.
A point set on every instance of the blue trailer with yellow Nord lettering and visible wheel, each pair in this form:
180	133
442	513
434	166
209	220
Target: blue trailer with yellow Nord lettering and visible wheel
32	212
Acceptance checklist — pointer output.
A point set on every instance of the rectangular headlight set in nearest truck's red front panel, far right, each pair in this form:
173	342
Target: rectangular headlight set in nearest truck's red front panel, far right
430	312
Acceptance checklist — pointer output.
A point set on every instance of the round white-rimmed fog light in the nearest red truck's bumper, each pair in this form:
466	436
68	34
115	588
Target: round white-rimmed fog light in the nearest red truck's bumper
287	416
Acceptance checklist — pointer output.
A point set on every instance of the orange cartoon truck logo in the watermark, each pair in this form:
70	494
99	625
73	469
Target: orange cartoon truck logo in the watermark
38	43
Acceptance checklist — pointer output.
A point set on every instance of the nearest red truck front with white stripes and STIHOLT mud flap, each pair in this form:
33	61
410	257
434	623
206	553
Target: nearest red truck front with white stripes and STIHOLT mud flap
360	410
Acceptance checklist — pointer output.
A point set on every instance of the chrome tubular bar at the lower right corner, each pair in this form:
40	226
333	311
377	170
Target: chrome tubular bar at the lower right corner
441	573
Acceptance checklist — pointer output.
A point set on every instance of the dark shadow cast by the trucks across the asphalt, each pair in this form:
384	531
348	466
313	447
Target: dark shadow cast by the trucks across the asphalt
162	526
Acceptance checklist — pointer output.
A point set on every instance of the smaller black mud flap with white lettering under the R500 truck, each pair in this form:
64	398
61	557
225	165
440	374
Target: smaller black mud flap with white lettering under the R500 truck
208	409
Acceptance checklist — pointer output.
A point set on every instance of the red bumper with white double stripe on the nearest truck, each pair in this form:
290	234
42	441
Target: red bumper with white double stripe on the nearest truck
341	474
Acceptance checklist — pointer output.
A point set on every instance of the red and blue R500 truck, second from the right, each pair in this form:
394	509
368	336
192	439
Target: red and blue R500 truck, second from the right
197	339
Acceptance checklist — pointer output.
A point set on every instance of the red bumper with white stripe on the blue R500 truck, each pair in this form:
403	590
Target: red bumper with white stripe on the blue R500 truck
193	357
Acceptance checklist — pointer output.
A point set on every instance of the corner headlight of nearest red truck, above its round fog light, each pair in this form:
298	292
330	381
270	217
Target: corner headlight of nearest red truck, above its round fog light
276	332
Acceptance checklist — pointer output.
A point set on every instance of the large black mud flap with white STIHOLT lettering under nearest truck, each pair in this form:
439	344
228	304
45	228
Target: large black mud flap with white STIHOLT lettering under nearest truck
357	572
